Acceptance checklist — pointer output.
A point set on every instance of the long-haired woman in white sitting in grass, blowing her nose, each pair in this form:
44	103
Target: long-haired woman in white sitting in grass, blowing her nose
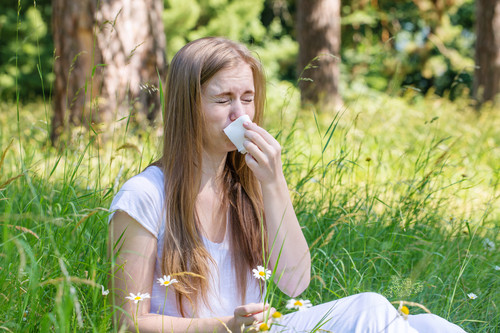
204	214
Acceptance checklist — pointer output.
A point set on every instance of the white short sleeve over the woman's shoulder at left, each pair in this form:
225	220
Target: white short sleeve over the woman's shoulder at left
142	198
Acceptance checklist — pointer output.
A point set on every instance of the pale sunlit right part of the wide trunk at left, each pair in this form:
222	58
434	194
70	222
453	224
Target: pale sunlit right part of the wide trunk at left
132	42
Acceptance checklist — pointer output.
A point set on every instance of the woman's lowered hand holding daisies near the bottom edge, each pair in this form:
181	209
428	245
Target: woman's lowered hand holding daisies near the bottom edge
247	315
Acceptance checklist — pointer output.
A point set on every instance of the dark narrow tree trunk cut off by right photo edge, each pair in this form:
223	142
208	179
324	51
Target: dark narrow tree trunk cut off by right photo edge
487	73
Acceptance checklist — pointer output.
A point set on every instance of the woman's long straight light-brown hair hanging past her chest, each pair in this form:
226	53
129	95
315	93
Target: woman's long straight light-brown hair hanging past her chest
183	249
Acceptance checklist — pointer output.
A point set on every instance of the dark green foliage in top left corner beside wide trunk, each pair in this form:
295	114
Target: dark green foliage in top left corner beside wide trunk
26	49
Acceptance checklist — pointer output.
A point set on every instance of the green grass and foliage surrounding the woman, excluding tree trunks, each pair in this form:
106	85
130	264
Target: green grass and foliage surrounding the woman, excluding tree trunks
397	188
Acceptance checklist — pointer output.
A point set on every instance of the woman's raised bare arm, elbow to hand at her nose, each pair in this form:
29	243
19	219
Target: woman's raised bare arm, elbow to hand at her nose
264	159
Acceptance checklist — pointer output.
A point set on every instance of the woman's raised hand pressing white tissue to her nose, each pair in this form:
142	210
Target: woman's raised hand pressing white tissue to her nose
264	154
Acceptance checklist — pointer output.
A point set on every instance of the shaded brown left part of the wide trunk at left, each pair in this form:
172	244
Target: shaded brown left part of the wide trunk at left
72	25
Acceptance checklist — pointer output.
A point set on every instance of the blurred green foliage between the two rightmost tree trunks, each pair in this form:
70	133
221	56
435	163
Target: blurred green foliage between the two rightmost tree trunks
425	45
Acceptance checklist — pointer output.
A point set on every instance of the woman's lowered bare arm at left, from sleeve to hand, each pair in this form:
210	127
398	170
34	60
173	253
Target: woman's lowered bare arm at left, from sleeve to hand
133	273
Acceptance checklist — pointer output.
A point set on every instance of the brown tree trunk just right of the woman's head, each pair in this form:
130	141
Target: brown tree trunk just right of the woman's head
318	34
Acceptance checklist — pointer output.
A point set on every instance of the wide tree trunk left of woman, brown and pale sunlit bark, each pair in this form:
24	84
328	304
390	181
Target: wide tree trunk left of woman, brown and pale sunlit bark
108	58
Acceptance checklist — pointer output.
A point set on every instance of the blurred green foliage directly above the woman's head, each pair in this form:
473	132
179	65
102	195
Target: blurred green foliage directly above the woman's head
186	20
